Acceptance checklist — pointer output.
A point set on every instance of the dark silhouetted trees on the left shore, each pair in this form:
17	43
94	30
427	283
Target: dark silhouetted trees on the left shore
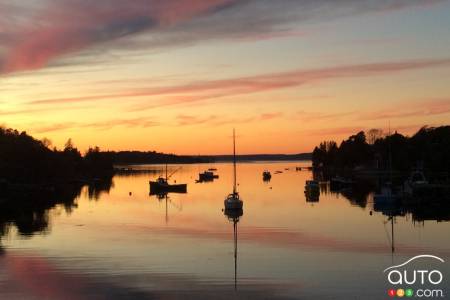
24	159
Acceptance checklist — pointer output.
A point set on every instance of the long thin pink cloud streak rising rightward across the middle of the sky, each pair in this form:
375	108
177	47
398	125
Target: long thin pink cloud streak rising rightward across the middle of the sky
212	89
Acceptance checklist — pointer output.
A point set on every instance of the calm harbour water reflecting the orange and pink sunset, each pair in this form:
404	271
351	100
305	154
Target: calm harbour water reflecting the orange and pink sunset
114	244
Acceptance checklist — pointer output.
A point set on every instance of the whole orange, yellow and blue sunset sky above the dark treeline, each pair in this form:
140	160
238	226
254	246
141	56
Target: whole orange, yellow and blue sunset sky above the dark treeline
177	75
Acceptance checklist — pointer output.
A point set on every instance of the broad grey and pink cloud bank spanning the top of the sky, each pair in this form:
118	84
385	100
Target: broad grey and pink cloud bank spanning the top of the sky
34	34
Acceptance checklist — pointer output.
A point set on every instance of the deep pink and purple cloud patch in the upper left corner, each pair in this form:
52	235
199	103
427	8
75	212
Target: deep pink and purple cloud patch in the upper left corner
72	25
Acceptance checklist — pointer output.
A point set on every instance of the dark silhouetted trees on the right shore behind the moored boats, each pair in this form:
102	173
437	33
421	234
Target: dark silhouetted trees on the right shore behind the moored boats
429	149
